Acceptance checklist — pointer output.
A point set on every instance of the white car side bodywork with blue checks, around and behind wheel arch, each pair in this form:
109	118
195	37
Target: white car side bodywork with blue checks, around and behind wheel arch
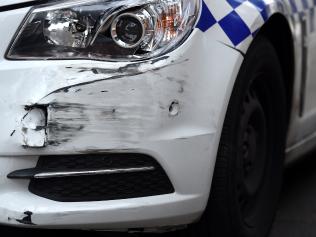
235	23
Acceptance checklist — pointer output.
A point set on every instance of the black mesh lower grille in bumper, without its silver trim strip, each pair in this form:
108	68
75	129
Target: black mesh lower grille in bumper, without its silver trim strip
100	187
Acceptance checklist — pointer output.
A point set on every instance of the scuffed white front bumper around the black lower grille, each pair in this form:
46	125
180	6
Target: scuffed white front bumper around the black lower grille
170	108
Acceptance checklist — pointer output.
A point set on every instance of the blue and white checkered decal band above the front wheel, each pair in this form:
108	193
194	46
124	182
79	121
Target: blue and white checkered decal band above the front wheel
239	20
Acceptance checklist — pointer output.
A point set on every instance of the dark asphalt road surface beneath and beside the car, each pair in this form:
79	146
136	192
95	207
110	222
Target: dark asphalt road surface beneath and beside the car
296	216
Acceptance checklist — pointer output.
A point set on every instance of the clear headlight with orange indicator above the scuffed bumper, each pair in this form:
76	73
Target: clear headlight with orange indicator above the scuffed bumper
105	29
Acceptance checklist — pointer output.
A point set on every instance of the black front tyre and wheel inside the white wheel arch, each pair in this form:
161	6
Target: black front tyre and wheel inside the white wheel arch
248	172
